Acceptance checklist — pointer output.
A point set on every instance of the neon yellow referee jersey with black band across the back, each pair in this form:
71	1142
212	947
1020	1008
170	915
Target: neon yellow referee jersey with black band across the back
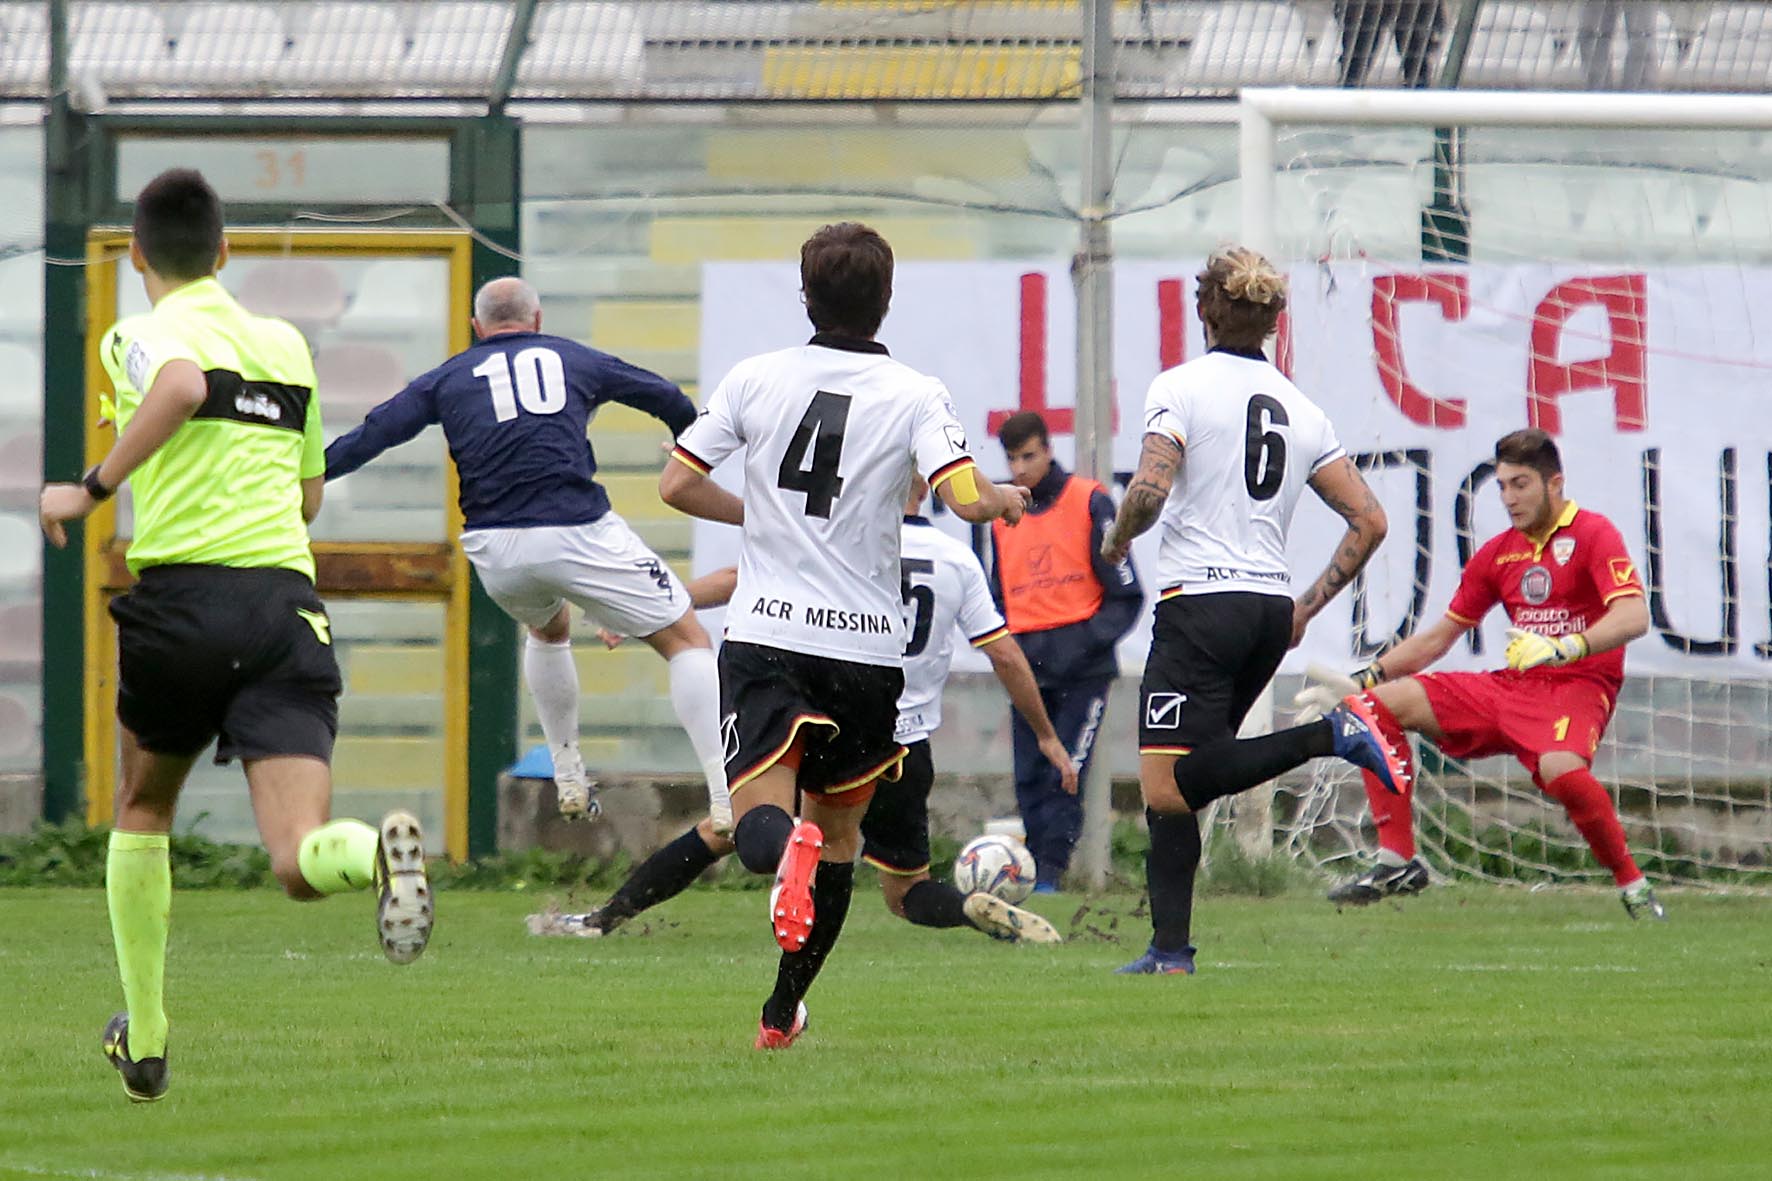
226	490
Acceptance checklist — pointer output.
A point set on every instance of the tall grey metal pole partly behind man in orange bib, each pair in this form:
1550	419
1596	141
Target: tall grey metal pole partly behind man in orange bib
1092	274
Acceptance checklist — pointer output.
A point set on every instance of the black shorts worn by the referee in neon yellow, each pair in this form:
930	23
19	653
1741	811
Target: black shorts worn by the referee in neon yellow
235	655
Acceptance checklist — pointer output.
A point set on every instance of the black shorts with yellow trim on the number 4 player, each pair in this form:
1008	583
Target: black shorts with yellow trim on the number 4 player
839	714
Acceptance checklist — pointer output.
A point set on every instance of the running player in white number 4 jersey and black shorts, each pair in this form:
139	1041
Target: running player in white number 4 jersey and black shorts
814	657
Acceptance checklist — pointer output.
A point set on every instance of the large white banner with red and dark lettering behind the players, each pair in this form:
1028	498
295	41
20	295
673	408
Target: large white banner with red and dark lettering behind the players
1656	384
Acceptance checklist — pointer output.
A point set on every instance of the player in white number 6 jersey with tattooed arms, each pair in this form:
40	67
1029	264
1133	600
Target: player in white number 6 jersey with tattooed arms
1231	446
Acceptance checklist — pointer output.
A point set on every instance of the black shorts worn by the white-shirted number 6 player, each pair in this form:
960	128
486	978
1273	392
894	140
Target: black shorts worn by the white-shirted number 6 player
1211	657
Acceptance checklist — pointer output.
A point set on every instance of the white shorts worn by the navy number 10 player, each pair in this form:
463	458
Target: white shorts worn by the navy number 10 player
605	568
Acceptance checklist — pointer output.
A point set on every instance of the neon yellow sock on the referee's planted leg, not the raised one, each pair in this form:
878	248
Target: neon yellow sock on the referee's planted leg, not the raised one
139	889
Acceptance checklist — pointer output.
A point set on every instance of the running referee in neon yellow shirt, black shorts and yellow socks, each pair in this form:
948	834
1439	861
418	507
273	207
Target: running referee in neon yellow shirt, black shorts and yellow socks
222	637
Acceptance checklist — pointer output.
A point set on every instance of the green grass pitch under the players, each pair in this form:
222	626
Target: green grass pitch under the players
1472	1033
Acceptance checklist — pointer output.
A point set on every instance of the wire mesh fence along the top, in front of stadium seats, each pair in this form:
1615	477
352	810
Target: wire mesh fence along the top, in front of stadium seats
851	51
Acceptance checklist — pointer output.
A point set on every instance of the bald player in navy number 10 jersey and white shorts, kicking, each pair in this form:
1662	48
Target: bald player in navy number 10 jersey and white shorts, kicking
538	524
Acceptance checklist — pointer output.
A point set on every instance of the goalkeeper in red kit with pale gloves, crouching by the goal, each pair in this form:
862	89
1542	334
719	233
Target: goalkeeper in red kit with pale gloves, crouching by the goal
1574	600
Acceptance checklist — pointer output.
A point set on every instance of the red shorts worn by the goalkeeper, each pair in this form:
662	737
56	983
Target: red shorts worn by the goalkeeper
1521	714
